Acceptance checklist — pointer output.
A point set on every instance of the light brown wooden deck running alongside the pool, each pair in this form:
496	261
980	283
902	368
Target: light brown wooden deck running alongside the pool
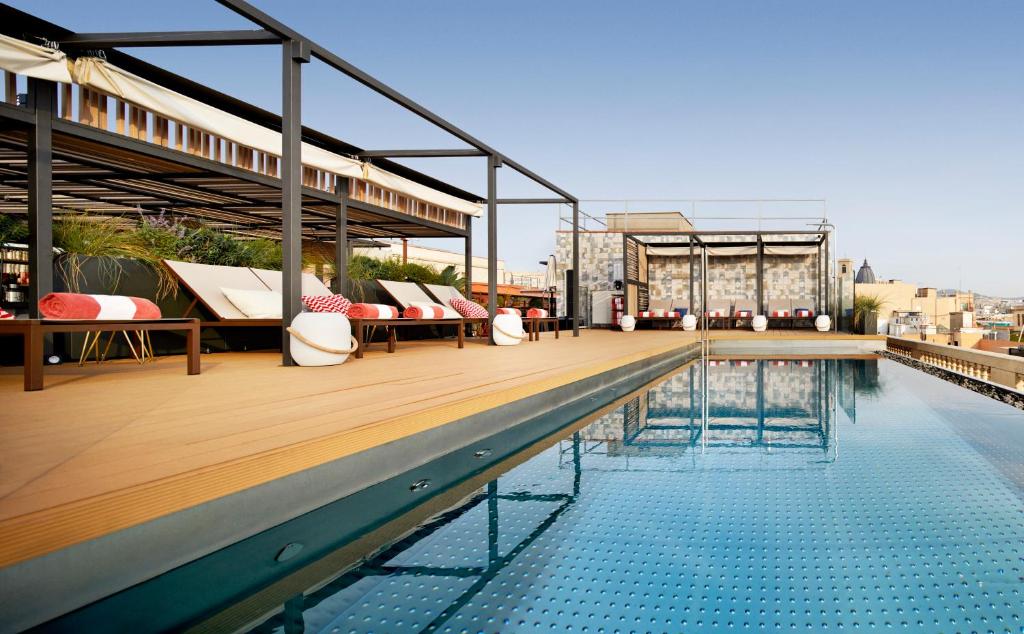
108	448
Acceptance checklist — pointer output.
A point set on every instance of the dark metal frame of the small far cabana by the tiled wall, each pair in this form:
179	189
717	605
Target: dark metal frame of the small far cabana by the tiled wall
697	240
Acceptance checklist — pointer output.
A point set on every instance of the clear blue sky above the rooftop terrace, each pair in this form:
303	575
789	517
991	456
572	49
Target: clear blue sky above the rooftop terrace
908	117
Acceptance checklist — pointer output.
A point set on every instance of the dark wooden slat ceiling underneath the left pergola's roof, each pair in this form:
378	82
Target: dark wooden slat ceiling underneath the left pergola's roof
98	179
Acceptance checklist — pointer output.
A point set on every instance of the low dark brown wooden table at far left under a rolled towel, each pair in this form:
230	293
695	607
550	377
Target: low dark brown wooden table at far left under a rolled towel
33	331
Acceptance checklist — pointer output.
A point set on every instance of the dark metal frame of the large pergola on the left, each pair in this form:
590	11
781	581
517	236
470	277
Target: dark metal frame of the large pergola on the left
42	124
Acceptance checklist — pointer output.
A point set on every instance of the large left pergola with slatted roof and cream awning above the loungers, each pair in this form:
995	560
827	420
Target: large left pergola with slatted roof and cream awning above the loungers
106	134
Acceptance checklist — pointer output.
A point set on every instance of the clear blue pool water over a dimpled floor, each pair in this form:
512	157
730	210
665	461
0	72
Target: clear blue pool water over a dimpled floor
855	495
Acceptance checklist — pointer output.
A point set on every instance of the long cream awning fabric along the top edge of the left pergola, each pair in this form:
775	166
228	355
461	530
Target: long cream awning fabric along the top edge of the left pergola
33	61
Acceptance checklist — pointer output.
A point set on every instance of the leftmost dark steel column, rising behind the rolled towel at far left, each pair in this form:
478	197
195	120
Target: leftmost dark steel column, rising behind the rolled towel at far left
42	101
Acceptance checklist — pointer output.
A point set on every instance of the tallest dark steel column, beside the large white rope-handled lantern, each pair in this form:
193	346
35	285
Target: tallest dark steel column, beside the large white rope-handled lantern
291	189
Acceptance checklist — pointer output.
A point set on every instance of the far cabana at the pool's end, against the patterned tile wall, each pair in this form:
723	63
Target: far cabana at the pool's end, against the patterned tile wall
754	267
